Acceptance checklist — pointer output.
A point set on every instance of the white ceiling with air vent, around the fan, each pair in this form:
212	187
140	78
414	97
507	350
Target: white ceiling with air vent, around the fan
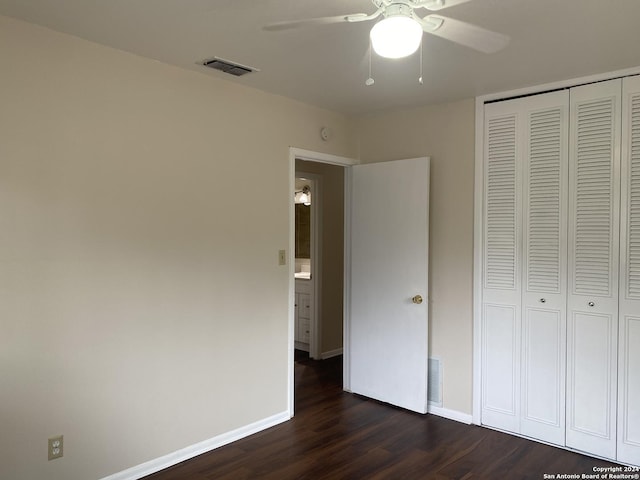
327	65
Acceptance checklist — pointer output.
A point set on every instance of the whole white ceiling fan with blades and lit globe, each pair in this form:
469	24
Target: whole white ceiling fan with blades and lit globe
399	33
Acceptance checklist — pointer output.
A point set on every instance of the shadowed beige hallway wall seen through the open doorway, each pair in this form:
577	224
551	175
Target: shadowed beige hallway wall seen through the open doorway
332	241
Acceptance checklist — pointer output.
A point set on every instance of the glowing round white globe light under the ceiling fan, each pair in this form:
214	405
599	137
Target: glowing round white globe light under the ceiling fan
396	36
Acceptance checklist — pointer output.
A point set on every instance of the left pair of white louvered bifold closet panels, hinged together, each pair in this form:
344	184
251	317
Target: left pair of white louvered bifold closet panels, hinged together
524	275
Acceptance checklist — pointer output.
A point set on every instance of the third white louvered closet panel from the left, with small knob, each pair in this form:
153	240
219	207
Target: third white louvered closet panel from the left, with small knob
592	305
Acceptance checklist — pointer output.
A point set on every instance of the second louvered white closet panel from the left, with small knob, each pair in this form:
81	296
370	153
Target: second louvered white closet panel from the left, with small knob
545	272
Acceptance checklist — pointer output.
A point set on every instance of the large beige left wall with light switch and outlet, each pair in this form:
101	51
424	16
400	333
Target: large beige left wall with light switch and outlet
142	308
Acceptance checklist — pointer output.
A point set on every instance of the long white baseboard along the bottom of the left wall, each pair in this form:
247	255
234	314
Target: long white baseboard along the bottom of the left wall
178	456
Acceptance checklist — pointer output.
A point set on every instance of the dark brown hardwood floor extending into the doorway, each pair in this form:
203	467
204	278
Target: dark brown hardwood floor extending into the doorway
337	435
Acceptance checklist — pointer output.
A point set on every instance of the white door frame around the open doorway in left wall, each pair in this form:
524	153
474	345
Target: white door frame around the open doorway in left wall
318	157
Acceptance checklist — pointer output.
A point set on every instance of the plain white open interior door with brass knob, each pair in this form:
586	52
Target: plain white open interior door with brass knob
388	328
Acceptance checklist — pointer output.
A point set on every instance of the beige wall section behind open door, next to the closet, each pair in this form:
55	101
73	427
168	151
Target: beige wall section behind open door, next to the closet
446	134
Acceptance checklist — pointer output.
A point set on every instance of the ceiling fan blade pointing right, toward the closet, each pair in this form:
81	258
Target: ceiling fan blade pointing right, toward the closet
465	34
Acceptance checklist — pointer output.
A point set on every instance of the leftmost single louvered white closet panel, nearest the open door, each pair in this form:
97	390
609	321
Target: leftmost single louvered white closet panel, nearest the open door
502	268
